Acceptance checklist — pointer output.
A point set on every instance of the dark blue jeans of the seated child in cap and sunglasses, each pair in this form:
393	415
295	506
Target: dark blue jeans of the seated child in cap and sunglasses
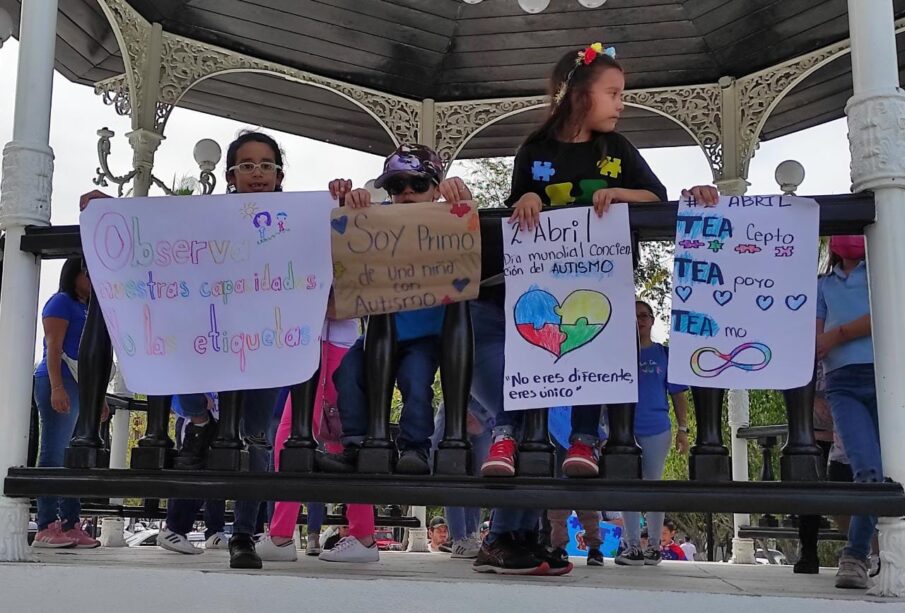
418	362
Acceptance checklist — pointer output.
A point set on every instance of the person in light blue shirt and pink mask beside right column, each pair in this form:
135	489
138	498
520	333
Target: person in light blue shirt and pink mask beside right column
844	344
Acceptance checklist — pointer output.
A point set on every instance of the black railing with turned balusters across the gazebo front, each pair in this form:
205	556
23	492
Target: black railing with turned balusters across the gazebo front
710	487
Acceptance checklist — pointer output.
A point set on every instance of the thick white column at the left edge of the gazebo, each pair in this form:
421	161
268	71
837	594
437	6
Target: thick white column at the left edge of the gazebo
24	200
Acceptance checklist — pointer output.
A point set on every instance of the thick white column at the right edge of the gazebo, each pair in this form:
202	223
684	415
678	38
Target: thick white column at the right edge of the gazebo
876	122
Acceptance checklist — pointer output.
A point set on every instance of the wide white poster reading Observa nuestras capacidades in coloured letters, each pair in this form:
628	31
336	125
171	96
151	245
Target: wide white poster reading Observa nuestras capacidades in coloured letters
211	293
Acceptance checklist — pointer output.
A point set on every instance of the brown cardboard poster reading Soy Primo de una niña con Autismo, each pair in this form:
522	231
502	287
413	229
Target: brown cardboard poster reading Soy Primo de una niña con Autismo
402	257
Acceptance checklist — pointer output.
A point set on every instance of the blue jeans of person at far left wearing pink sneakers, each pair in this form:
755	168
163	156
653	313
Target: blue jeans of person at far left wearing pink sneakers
56	430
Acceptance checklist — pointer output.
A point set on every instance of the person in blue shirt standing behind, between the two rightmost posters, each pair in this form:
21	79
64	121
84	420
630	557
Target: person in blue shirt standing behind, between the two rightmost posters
653	431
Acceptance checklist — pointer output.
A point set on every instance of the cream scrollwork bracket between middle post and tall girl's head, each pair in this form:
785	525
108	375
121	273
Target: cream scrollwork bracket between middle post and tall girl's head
456	122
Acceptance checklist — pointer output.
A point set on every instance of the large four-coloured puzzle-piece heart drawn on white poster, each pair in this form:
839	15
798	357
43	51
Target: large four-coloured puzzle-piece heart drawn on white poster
561	328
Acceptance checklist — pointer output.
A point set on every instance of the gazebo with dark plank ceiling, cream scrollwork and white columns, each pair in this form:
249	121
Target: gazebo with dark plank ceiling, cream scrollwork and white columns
468	79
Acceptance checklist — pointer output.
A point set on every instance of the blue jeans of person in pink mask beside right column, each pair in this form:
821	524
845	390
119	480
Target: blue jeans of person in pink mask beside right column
852	394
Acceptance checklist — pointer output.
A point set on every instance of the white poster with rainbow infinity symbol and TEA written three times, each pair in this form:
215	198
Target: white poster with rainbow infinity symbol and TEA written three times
744	293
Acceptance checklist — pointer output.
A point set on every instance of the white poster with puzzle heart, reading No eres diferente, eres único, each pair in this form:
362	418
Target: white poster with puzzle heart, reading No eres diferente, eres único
570	311
